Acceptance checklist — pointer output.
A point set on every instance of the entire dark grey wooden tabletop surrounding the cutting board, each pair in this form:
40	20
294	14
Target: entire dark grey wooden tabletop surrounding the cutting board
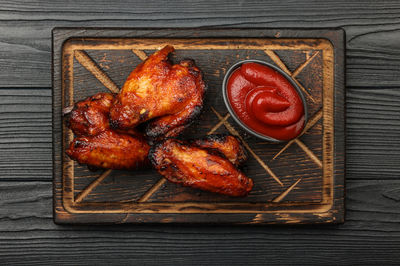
371	233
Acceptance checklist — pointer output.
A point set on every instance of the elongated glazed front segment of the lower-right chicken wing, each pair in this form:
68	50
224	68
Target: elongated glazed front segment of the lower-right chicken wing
186	164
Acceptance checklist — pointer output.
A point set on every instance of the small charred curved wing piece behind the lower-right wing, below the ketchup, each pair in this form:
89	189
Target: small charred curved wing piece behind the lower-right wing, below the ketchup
228	145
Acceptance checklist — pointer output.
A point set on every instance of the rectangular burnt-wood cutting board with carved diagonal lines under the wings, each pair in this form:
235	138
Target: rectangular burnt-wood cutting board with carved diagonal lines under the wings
301	181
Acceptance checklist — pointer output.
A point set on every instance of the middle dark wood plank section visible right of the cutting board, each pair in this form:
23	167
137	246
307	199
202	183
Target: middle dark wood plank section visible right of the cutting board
373	134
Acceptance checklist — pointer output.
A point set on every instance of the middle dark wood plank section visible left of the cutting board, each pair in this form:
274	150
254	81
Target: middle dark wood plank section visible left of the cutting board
25	134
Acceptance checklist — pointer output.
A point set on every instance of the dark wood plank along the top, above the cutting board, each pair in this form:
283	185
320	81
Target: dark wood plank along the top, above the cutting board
372	30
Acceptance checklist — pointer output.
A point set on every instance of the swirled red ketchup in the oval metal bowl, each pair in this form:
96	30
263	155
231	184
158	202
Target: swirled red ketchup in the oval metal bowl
266	101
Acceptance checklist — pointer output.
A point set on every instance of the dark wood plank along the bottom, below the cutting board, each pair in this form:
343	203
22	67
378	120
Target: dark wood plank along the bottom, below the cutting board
370	234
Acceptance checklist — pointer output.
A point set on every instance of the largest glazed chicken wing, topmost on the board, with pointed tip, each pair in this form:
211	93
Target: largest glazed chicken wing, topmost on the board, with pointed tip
169	95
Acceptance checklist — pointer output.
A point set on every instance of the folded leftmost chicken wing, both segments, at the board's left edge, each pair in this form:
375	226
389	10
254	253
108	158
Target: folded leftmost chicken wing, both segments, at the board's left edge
99	146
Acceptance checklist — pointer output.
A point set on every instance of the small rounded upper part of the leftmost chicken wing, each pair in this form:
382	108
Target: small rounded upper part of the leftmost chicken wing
90	116
